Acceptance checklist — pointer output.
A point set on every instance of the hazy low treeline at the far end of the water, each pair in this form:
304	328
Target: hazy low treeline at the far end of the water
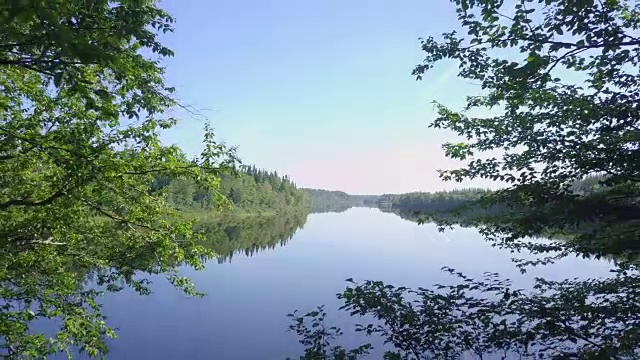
337	201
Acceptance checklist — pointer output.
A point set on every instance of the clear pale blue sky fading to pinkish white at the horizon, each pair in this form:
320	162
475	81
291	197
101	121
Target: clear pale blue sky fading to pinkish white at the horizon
319	90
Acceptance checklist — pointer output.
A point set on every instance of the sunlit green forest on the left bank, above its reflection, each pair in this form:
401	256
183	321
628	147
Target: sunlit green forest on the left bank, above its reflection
249	189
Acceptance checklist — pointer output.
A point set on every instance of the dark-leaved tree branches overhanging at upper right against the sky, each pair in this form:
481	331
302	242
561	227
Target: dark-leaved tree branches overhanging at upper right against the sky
554	132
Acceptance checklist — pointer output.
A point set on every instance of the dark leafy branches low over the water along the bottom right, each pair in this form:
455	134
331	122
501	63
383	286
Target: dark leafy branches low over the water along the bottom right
488	318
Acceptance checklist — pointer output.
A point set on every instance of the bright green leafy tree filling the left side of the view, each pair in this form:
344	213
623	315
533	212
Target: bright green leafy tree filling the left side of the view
82	99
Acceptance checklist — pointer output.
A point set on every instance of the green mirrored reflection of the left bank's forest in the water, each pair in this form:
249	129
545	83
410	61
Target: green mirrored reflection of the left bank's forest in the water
249	235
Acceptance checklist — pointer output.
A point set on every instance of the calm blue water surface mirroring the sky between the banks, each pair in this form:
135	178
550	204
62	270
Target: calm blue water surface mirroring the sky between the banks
249	294
